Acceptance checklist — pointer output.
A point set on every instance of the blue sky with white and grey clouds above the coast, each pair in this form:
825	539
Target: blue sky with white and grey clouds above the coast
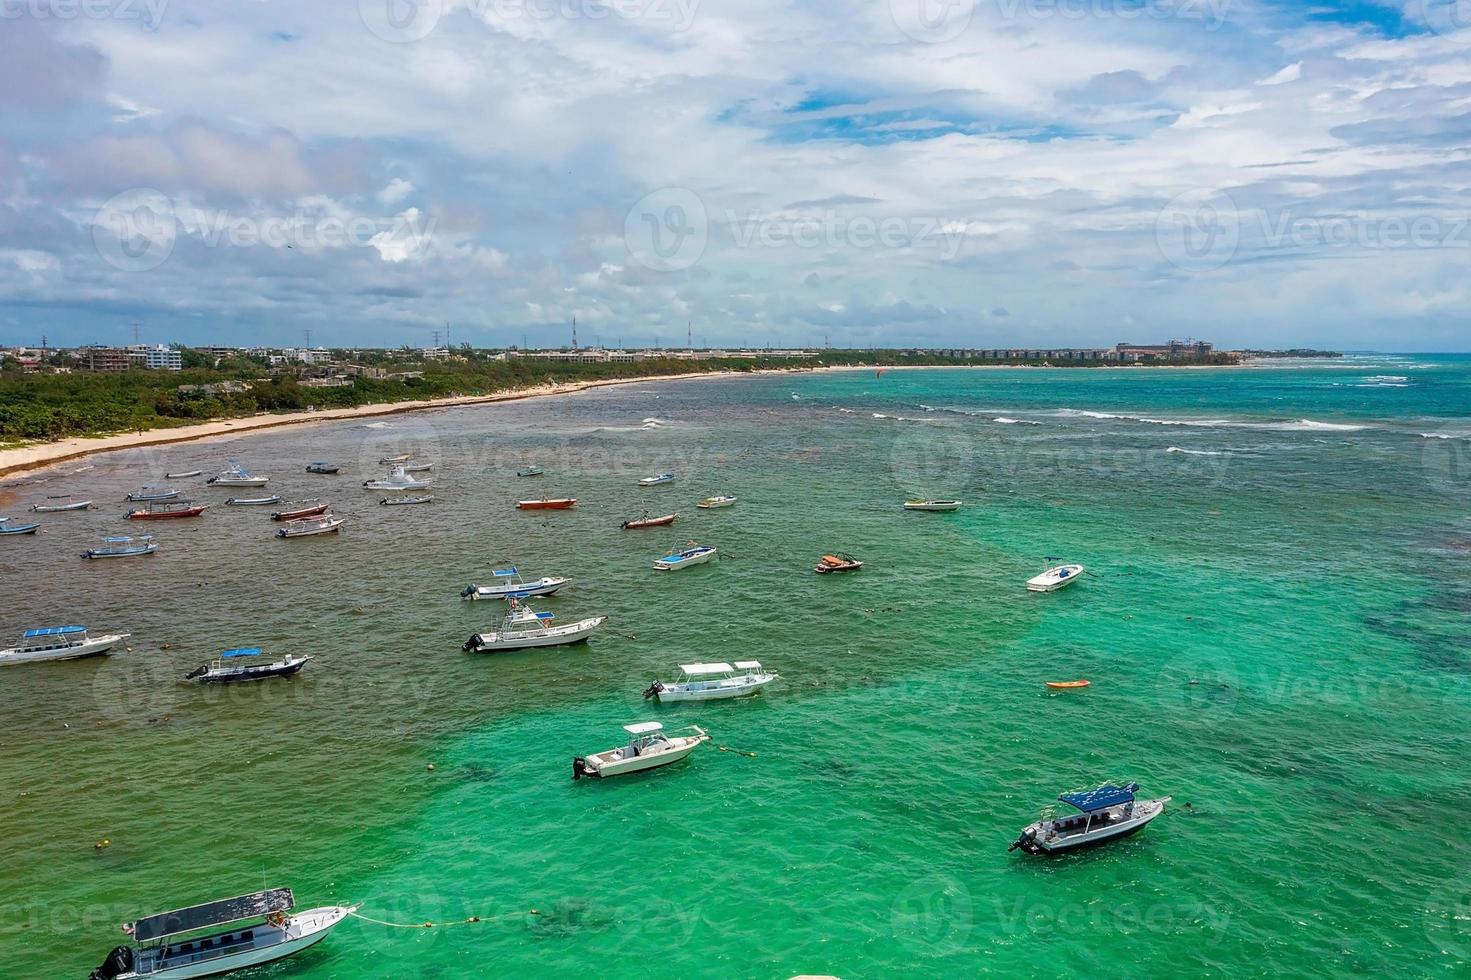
755	173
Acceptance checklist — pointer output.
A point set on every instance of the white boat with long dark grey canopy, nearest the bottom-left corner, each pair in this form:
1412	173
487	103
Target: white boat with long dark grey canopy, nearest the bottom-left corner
165	947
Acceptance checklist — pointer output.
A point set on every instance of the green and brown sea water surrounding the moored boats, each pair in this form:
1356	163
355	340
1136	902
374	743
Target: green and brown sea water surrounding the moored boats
1276	623
